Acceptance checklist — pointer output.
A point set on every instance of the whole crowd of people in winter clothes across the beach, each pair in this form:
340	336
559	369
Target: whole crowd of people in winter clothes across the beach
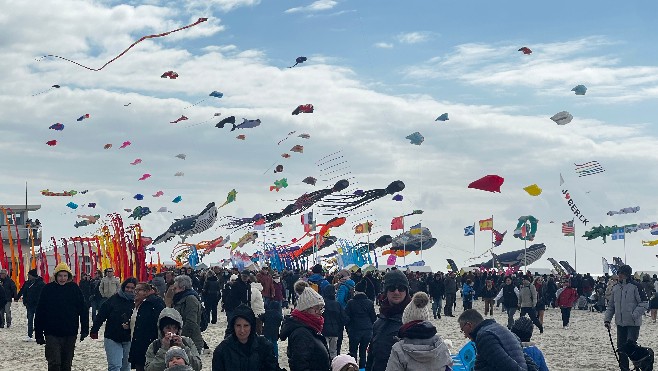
158	325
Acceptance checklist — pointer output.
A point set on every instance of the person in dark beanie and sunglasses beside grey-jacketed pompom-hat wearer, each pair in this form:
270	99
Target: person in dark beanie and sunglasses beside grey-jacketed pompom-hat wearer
393	302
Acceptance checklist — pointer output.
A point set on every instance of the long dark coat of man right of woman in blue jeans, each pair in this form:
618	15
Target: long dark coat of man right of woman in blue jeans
145	329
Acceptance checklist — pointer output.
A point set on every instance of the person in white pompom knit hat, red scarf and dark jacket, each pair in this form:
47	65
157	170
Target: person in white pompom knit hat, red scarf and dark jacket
307	348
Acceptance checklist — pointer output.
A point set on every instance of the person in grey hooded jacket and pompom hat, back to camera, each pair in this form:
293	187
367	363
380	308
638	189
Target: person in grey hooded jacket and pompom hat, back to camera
419	348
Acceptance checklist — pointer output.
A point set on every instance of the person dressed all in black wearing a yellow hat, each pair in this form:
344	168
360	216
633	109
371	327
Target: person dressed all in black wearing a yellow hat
60	313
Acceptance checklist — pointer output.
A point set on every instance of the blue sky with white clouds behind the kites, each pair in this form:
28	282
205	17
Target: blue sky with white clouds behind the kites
376	72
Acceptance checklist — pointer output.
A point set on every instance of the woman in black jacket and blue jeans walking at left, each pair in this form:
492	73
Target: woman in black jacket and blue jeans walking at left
116	312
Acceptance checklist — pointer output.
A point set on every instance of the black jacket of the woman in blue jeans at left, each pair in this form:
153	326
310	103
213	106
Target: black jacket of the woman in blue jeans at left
116	311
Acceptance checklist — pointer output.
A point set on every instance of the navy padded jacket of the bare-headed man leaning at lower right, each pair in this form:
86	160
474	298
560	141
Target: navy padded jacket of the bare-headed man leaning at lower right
497	348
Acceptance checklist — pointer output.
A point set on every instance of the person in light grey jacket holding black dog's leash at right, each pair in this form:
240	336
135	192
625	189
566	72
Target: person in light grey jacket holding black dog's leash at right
628	304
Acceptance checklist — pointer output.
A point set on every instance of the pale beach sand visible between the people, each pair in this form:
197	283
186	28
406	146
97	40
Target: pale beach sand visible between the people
584	346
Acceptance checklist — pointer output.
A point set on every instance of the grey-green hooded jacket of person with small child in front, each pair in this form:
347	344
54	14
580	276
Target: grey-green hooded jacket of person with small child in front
155	355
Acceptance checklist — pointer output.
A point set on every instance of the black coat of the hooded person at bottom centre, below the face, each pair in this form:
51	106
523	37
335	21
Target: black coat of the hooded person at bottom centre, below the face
231	356
